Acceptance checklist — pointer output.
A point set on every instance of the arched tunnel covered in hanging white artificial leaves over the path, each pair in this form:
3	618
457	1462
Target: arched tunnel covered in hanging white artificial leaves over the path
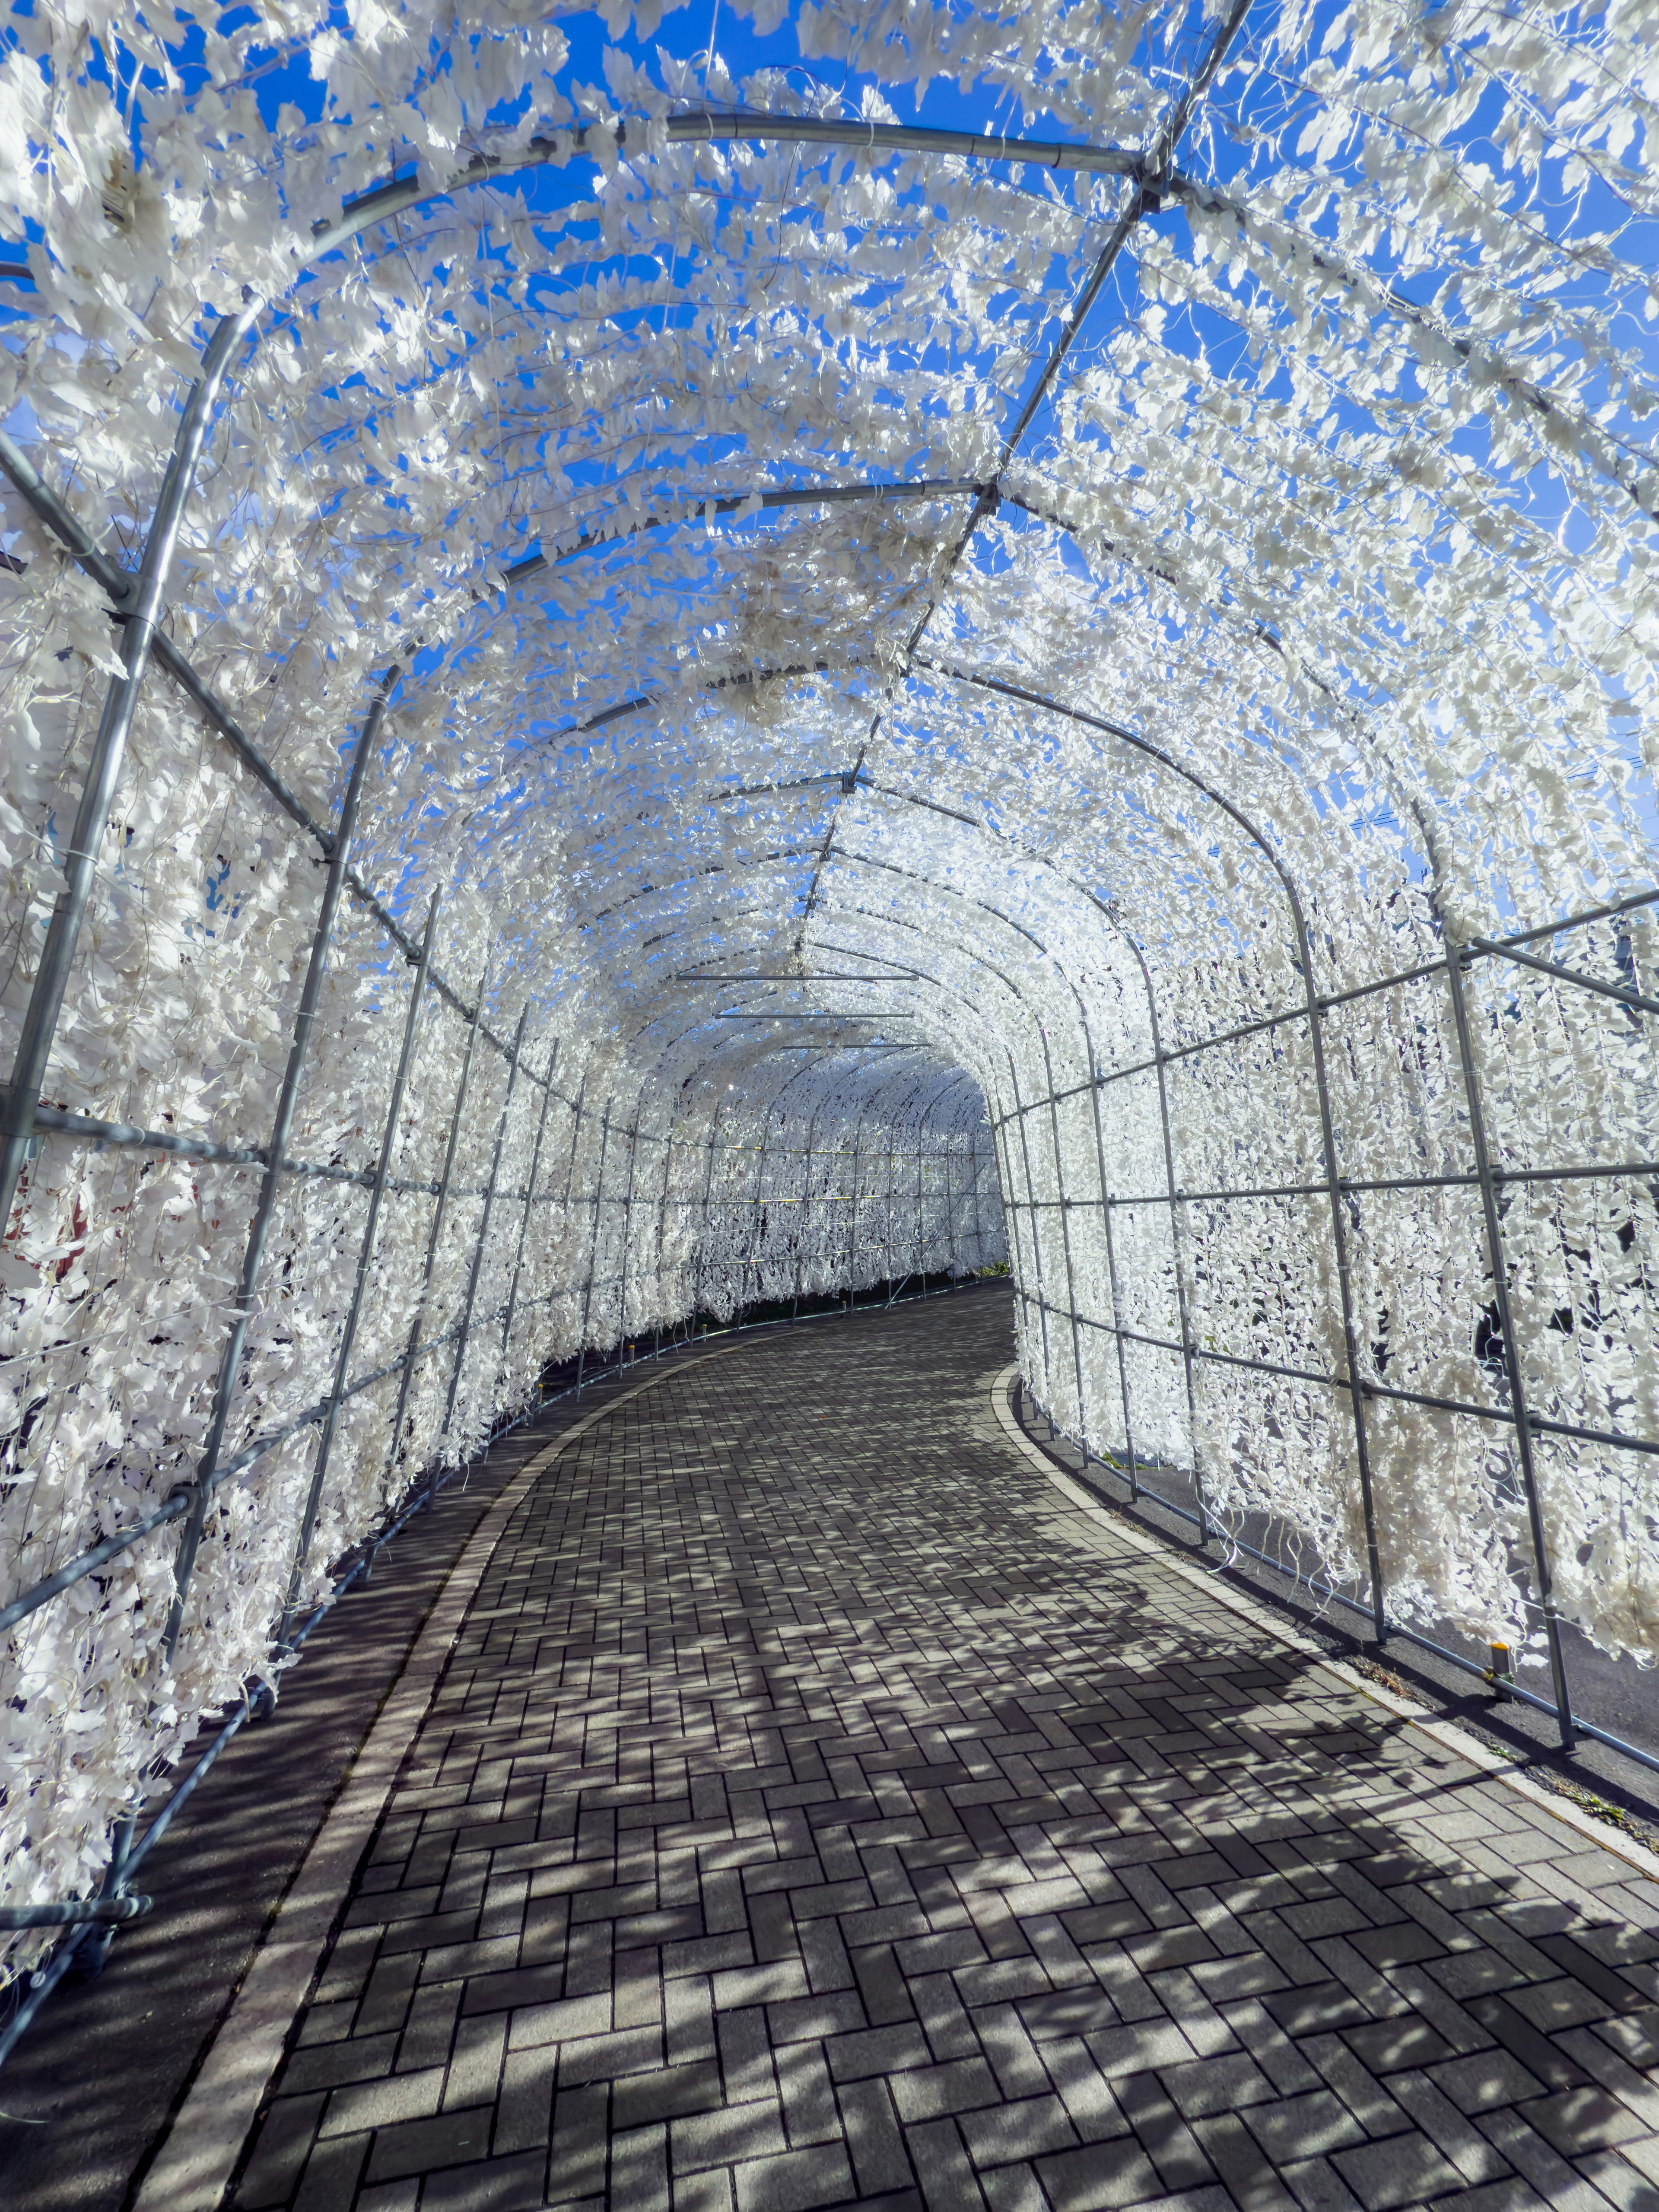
640	702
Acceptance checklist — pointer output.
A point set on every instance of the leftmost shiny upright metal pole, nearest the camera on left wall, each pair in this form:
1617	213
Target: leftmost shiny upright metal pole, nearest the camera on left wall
143	609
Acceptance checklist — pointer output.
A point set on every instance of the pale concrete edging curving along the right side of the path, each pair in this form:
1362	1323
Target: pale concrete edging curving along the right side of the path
1446	1733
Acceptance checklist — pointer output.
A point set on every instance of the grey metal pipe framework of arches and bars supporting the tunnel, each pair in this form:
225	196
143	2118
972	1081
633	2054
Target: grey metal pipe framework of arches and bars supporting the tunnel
140	605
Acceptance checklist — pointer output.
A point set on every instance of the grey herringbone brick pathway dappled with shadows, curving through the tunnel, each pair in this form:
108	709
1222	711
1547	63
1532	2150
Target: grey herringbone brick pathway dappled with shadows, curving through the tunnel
811	1819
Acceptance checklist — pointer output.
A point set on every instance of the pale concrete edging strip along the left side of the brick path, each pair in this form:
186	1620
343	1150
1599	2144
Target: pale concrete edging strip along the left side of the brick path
200	2151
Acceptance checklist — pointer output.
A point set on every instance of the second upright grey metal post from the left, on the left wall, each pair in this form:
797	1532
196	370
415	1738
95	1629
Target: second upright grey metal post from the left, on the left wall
282	1127
